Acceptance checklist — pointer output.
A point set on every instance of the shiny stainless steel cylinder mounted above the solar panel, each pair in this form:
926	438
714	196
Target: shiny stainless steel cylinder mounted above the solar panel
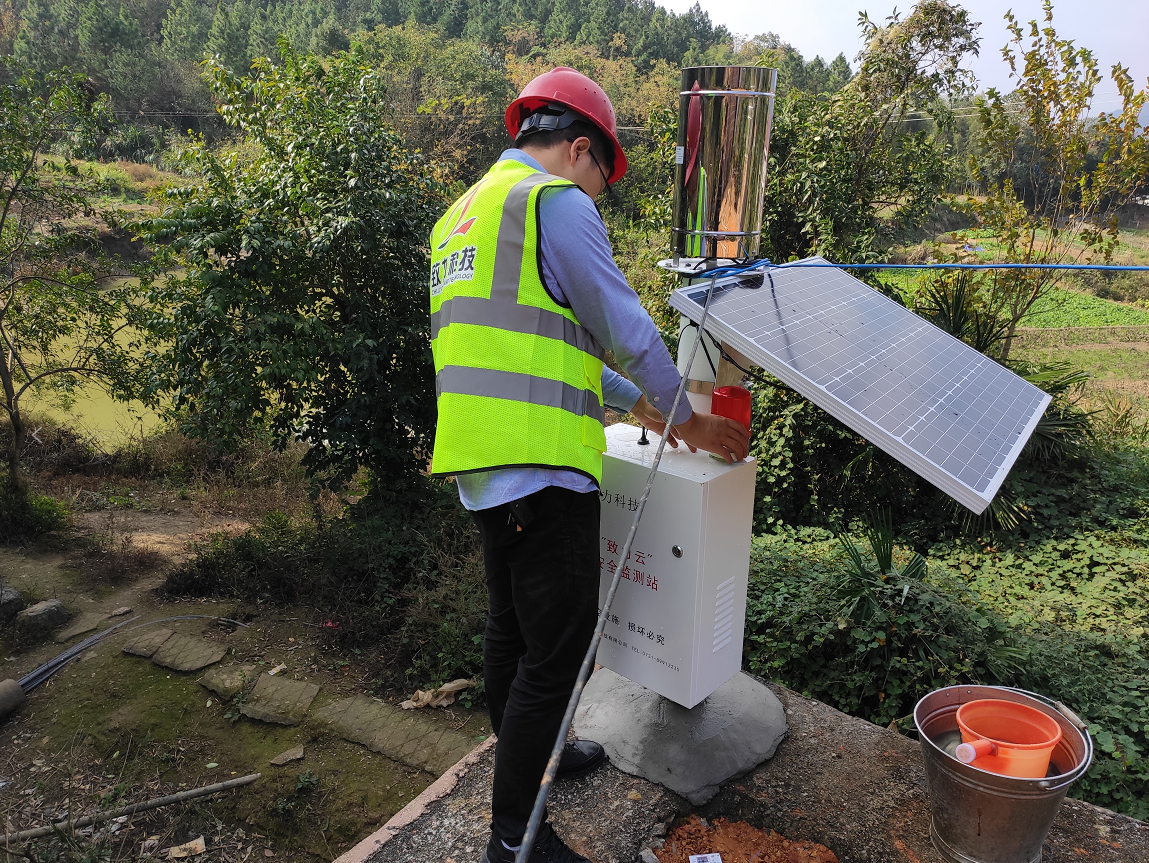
724	119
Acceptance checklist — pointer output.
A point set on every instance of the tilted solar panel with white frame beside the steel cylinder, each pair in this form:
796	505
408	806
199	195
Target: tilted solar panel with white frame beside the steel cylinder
939	407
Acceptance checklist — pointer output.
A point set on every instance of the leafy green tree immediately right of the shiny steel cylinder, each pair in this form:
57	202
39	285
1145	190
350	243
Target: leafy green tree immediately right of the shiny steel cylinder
845	174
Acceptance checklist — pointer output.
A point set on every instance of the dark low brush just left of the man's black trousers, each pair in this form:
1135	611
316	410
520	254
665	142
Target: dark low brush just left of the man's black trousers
403	572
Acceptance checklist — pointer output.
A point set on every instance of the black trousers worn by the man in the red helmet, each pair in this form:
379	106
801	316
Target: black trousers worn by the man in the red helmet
543	583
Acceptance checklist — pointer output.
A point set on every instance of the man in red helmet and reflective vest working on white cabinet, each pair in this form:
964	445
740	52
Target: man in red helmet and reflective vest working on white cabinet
526	302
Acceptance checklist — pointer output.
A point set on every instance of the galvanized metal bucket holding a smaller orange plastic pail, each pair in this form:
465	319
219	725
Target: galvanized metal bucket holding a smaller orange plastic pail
982	818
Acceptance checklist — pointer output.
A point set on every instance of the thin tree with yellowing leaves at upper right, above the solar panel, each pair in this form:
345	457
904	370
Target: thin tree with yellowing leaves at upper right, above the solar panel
1055	176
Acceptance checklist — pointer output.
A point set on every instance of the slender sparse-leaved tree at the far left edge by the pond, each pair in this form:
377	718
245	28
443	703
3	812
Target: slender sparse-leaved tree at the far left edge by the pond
67	314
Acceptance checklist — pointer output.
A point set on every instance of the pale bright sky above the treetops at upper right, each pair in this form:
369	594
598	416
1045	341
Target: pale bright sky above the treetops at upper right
1114	30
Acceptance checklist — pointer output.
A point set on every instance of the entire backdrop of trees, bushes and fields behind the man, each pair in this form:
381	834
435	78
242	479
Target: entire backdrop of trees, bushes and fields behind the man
277	306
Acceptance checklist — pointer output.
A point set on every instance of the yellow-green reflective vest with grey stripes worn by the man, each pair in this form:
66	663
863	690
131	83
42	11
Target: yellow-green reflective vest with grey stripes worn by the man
519	381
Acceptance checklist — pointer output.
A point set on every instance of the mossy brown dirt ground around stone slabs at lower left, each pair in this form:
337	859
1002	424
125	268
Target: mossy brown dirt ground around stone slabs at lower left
112	730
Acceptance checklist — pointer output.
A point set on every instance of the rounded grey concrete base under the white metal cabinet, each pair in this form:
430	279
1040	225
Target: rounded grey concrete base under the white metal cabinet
691	752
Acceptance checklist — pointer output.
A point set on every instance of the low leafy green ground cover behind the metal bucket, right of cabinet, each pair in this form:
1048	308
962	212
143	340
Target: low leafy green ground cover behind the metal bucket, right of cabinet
1062	617
